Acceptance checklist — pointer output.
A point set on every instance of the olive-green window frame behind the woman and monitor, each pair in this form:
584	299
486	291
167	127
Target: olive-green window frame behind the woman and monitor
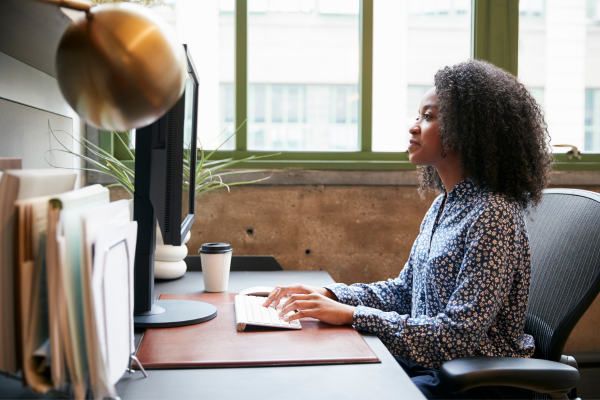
494	37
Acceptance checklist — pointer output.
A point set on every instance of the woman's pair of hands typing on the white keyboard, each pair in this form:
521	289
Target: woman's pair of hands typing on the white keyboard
311	301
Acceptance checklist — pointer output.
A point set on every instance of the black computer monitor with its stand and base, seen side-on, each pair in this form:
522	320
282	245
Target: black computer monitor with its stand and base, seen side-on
164	194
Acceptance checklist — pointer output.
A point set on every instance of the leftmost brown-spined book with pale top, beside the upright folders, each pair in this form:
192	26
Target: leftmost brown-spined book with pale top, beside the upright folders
19	185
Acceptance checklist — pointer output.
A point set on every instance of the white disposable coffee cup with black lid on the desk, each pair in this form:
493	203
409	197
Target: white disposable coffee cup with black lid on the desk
216	262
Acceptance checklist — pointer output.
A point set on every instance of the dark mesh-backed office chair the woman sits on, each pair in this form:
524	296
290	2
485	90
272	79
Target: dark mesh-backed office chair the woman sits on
564	235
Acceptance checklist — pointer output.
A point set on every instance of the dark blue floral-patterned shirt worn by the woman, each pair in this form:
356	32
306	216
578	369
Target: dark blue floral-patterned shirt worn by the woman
463	291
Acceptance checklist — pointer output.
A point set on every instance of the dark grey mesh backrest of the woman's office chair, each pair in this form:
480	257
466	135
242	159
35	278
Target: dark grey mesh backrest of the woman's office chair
564	236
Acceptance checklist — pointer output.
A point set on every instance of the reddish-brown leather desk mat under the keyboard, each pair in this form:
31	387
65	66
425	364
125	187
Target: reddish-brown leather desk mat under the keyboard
217	343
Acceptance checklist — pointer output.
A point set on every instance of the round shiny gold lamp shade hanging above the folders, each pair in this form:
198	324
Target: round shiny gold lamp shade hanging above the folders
120	66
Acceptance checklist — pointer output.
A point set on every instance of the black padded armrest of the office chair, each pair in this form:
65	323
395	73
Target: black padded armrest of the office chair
541	376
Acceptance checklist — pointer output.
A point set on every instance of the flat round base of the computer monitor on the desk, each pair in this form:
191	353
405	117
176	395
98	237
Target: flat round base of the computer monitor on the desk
177	313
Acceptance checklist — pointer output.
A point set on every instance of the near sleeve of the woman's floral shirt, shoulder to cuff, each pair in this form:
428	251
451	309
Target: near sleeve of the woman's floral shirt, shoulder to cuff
482	285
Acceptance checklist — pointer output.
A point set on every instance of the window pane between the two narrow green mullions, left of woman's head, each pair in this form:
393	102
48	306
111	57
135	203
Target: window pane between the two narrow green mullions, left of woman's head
303	61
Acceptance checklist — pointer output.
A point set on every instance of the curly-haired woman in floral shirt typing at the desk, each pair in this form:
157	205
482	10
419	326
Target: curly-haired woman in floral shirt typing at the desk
480	139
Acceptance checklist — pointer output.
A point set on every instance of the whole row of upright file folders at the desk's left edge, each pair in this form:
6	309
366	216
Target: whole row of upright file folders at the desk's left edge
66	283
